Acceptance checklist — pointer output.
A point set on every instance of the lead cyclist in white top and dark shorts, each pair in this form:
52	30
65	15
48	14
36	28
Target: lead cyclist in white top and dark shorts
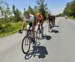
31	24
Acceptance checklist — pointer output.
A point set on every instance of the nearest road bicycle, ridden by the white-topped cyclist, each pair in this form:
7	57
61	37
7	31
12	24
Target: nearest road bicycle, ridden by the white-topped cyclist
28	41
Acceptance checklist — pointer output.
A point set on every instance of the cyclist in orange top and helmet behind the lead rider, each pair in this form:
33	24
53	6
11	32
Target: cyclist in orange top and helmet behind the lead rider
40	19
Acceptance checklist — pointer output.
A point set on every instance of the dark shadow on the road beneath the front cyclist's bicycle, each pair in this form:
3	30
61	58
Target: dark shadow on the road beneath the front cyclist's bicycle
39	51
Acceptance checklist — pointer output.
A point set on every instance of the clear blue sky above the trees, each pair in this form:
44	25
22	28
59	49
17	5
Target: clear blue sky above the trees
54	6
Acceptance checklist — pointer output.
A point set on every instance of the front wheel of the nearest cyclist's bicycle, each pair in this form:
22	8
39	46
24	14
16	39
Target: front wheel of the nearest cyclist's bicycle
26	42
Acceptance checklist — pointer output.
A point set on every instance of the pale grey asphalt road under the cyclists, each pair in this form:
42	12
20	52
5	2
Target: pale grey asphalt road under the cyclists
60	47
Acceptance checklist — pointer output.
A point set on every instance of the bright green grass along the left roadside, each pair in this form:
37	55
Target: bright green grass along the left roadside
10	28
